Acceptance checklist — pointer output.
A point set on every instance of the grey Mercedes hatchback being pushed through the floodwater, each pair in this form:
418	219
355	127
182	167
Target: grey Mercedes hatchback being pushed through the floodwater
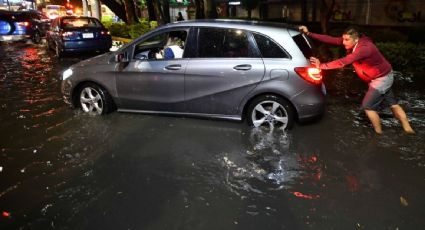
230	69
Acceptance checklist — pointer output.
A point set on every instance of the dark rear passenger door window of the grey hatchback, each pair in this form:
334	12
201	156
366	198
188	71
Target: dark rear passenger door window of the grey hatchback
224	43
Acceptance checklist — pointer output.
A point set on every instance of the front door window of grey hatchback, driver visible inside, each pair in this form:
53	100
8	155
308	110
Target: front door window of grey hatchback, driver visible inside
167	45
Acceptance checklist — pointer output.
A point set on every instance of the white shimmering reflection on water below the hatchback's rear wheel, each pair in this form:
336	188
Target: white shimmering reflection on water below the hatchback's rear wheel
266	164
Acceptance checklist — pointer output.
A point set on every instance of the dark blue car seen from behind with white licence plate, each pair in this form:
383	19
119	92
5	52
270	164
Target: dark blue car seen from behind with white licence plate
78	34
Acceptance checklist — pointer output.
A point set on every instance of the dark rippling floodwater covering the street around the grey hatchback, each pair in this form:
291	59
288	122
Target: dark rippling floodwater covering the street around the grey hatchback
61	169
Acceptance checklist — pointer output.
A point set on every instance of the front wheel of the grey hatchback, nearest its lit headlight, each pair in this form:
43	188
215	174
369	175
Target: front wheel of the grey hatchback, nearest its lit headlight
95	100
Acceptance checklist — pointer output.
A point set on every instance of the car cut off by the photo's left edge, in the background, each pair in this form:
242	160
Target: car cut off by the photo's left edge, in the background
23	25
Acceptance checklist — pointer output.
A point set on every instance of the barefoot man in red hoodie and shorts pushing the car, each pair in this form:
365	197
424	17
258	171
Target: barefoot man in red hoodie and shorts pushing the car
372	67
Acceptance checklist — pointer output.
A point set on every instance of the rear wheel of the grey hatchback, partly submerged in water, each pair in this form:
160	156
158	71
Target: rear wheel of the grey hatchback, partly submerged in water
271	111
